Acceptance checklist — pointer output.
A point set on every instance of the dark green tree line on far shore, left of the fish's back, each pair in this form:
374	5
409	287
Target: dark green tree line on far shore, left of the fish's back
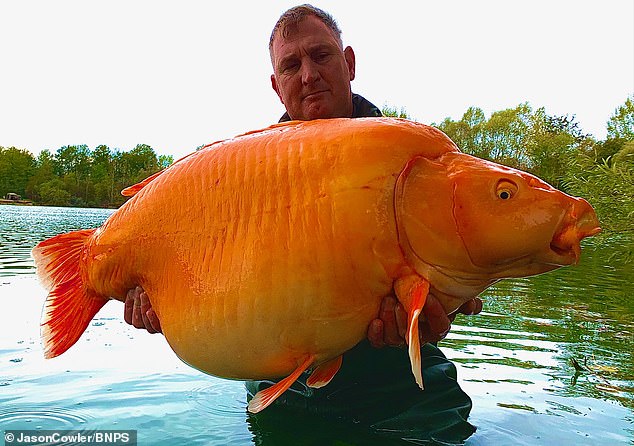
76	175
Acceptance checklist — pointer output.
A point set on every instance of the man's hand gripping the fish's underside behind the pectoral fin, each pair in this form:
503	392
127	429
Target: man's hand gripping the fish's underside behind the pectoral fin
391	325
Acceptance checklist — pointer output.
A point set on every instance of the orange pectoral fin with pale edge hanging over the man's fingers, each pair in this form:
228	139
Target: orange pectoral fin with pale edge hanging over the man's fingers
412	291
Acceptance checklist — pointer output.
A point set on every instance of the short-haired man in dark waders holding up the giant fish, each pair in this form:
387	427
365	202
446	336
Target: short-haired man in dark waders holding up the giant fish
312	72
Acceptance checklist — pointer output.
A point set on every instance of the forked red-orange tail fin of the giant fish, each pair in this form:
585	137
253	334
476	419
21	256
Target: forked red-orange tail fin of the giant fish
70	305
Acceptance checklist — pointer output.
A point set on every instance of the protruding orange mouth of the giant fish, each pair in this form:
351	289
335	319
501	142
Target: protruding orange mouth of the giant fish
581	222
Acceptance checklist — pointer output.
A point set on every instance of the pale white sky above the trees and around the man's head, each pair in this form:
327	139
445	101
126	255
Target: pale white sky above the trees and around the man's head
176	75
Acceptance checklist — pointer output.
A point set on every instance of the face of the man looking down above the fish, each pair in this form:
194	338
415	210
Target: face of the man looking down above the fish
311	73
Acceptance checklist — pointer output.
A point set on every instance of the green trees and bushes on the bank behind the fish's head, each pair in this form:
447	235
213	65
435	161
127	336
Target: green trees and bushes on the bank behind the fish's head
557	150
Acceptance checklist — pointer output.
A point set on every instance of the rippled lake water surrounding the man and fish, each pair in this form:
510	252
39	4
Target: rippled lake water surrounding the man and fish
515	360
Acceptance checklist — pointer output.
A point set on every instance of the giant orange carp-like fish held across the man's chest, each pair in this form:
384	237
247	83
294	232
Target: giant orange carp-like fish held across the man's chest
270	253
